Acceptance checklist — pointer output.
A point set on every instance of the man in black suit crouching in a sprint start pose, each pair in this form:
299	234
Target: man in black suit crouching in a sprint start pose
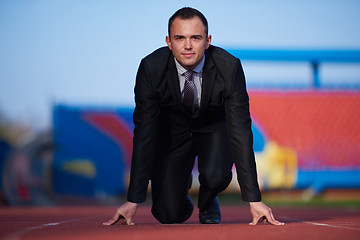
191	101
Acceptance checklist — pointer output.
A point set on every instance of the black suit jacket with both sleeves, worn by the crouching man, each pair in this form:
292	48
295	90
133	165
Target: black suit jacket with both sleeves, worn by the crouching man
159	112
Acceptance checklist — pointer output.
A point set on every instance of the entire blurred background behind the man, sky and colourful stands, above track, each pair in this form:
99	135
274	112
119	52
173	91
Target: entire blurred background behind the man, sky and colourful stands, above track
67	73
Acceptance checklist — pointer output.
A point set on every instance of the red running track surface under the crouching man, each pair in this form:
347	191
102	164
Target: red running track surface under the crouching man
85	223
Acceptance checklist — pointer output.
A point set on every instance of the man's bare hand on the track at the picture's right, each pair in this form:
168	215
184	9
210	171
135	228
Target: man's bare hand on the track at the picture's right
258	210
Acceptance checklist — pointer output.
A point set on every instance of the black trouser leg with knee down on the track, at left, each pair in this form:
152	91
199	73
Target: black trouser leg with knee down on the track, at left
171	203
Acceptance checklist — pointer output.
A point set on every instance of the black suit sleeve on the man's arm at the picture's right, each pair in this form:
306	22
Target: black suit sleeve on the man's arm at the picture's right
240	136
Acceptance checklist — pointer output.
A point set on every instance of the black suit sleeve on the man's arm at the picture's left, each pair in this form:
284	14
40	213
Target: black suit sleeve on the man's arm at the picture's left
145	118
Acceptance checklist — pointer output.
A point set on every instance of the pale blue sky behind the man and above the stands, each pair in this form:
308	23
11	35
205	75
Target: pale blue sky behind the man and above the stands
86	52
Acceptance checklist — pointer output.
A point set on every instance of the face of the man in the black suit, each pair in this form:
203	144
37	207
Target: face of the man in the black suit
188	41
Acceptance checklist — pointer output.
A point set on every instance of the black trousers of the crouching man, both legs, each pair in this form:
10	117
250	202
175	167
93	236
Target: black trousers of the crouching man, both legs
171	203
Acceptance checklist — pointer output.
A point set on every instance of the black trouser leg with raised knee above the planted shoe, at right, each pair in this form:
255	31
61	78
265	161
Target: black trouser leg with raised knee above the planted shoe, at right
214	164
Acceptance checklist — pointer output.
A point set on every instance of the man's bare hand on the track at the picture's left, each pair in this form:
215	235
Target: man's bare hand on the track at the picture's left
124	214
